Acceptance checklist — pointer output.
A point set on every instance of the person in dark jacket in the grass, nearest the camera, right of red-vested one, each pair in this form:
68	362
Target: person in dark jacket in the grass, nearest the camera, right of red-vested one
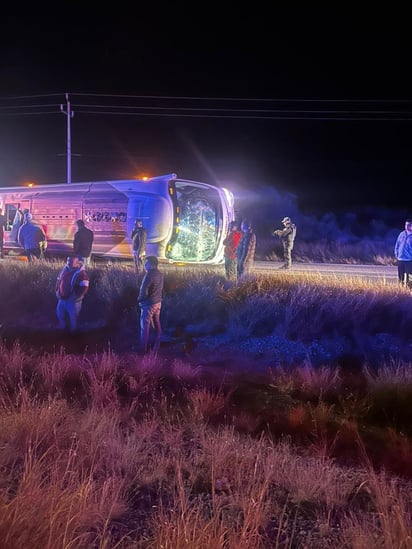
150	303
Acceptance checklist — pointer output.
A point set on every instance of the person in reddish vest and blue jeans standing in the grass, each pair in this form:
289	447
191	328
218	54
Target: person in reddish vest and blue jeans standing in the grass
72	284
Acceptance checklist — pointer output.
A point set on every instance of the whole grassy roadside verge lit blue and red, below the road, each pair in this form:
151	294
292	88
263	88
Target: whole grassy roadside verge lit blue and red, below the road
277	413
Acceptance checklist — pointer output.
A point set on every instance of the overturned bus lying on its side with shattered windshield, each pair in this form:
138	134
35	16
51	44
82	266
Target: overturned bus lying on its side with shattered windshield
186	221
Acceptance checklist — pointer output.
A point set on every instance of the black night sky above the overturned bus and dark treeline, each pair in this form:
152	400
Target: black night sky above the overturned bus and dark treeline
336	132
